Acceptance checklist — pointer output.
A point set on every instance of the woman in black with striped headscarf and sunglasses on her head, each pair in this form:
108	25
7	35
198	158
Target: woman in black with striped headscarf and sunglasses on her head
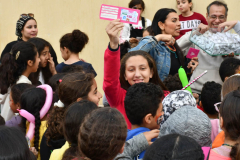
26	28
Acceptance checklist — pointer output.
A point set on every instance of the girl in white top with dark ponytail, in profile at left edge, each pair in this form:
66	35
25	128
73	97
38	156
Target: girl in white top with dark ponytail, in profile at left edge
15	68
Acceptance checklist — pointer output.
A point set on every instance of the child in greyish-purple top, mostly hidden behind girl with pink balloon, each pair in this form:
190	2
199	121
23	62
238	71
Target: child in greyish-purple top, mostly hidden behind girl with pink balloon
15	95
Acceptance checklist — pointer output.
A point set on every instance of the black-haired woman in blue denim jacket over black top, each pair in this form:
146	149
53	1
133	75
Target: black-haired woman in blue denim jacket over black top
162	47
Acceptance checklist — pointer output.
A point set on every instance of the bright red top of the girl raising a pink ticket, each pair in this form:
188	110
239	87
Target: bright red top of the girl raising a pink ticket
111	83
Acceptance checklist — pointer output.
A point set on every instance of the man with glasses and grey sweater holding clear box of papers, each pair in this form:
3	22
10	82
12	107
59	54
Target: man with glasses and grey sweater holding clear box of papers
216	15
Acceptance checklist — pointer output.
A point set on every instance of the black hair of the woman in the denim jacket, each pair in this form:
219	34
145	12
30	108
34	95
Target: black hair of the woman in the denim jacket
161	16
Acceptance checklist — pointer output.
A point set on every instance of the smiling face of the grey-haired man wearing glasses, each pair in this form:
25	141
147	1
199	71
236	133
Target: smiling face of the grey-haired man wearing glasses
217	15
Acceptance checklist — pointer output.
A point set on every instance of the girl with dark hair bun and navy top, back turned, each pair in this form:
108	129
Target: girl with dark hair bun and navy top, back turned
70	45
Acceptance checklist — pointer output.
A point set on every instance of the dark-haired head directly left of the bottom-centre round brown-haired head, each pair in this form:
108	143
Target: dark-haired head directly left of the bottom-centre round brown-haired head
73	119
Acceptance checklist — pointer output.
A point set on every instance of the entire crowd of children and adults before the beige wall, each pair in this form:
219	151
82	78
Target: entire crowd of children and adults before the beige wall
50	110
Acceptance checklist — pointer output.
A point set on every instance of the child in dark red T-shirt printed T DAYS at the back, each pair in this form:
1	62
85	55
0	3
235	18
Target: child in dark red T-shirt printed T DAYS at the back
189	19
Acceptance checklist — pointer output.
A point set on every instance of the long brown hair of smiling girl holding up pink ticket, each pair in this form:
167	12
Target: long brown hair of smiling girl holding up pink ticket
155	79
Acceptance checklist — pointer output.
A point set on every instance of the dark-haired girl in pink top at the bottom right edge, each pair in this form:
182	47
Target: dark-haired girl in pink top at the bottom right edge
229	117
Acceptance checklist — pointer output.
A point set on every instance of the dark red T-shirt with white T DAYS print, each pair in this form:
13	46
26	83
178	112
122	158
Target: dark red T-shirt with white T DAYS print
191	22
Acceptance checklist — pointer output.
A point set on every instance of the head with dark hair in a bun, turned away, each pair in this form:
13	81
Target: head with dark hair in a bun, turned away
72	43
